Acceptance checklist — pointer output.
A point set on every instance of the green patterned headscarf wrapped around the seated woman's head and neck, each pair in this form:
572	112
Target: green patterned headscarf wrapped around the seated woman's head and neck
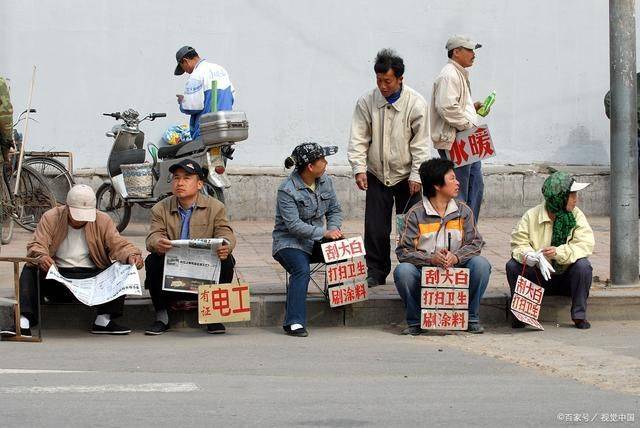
556	189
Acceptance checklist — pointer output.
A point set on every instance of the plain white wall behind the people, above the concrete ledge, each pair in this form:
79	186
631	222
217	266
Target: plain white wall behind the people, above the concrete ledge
299	67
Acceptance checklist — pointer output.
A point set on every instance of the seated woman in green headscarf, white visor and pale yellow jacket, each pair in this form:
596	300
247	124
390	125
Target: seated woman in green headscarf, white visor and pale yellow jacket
555	239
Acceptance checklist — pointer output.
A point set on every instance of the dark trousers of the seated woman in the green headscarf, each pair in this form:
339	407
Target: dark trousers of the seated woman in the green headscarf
575	281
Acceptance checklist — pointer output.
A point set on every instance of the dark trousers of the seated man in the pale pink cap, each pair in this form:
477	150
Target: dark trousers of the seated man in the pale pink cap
55	292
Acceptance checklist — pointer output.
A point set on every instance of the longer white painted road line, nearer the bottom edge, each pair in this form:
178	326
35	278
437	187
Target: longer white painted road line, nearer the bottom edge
143	387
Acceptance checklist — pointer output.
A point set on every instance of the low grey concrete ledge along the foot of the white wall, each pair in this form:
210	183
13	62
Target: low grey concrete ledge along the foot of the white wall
509	191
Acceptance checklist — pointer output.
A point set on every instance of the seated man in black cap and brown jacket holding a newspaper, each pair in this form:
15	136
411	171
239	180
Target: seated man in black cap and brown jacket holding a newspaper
188	214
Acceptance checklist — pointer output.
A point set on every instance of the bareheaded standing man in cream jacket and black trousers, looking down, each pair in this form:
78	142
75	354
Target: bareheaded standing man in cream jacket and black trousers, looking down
389	141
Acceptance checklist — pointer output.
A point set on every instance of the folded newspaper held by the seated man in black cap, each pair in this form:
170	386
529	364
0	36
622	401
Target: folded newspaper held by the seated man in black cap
191	263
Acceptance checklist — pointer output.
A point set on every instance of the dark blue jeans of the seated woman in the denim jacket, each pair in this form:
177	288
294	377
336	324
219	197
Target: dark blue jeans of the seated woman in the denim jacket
296	263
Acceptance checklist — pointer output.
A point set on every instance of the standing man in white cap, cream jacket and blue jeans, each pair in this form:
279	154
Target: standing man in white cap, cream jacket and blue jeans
452	110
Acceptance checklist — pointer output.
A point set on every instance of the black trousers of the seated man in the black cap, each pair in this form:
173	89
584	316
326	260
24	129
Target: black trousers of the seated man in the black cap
154	266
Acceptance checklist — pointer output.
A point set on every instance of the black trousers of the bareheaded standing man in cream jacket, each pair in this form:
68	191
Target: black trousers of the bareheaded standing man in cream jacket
378	221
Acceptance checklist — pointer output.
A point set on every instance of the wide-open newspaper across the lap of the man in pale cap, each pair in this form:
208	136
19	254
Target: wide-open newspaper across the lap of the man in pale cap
113	282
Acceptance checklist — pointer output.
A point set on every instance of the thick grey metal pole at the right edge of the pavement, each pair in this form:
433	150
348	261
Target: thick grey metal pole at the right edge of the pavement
624	150
